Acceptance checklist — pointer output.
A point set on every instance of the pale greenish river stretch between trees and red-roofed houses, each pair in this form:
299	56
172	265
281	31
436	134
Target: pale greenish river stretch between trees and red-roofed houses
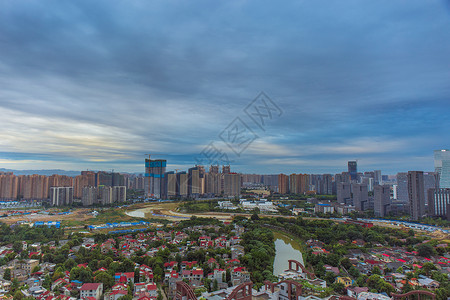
285	249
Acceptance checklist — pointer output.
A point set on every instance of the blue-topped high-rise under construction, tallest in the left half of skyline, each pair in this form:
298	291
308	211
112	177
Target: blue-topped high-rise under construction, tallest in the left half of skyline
154	173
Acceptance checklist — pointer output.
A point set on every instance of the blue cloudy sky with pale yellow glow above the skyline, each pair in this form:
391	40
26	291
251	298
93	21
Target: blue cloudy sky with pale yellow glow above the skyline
98	84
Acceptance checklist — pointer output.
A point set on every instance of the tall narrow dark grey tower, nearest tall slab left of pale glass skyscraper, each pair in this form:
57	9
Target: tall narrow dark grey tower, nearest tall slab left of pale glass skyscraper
416	194
